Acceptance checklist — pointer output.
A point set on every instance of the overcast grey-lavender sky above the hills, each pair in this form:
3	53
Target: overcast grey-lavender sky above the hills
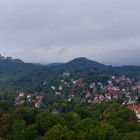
46	31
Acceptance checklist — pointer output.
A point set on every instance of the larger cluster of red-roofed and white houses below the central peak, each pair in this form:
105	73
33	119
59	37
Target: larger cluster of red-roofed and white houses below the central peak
115	88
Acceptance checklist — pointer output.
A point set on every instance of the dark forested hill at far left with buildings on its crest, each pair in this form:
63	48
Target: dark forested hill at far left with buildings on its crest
15	69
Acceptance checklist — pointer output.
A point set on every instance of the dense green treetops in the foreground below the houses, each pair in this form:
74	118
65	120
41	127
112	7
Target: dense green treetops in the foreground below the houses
108	121
